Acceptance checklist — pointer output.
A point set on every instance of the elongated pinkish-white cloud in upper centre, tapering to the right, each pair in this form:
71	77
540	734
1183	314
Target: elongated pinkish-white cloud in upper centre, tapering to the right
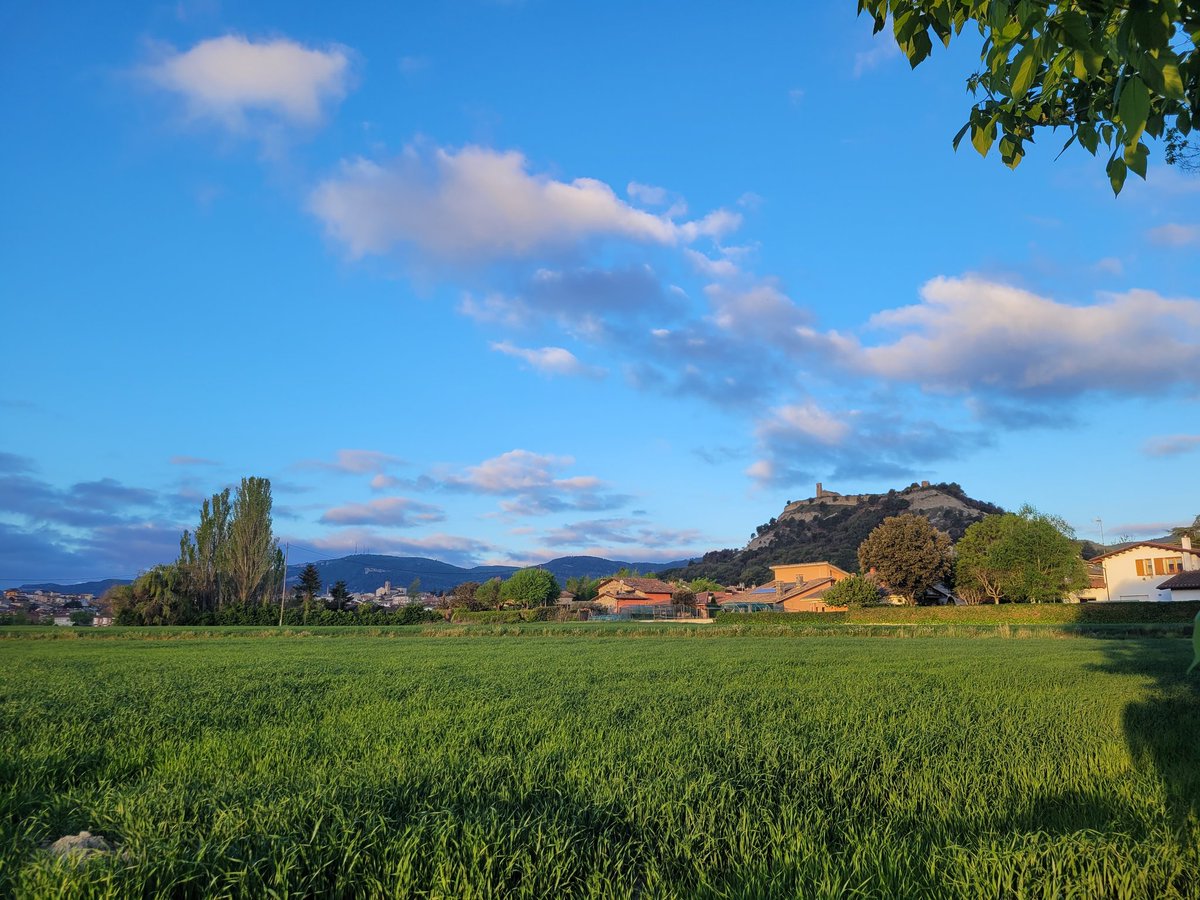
481	205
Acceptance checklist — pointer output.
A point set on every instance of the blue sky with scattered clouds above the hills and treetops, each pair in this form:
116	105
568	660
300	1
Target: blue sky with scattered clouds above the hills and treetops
508	281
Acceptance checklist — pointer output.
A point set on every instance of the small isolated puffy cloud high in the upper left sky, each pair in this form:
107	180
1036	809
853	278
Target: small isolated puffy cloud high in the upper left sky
232	80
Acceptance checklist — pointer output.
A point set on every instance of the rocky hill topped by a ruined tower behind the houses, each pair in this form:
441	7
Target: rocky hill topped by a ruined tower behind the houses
831	526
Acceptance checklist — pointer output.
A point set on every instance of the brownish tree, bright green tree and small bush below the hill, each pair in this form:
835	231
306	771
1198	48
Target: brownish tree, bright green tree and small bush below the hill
1019	557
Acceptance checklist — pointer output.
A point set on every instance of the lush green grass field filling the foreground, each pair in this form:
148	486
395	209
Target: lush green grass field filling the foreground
605	766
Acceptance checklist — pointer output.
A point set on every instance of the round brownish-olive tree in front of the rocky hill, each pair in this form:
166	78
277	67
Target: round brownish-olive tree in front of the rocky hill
908	554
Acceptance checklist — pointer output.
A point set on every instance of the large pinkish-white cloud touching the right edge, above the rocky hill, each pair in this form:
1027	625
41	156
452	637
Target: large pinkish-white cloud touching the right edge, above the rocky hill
969	334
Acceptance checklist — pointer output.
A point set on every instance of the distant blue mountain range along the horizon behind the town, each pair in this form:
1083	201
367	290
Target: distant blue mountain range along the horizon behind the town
365	573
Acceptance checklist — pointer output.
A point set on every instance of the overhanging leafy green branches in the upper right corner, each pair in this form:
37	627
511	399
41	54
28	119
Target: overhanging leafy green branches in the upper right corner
1111	73
